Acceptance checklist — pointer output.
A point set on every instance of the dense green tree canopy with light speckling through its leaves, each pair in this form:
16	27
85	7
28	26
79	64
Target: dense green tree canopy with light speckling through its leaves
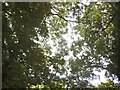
58	45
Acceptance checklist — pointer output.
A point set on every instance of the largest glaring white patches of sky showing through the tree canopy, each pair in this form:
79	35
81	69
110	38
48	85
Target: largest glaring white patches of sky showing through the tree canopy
69	41
